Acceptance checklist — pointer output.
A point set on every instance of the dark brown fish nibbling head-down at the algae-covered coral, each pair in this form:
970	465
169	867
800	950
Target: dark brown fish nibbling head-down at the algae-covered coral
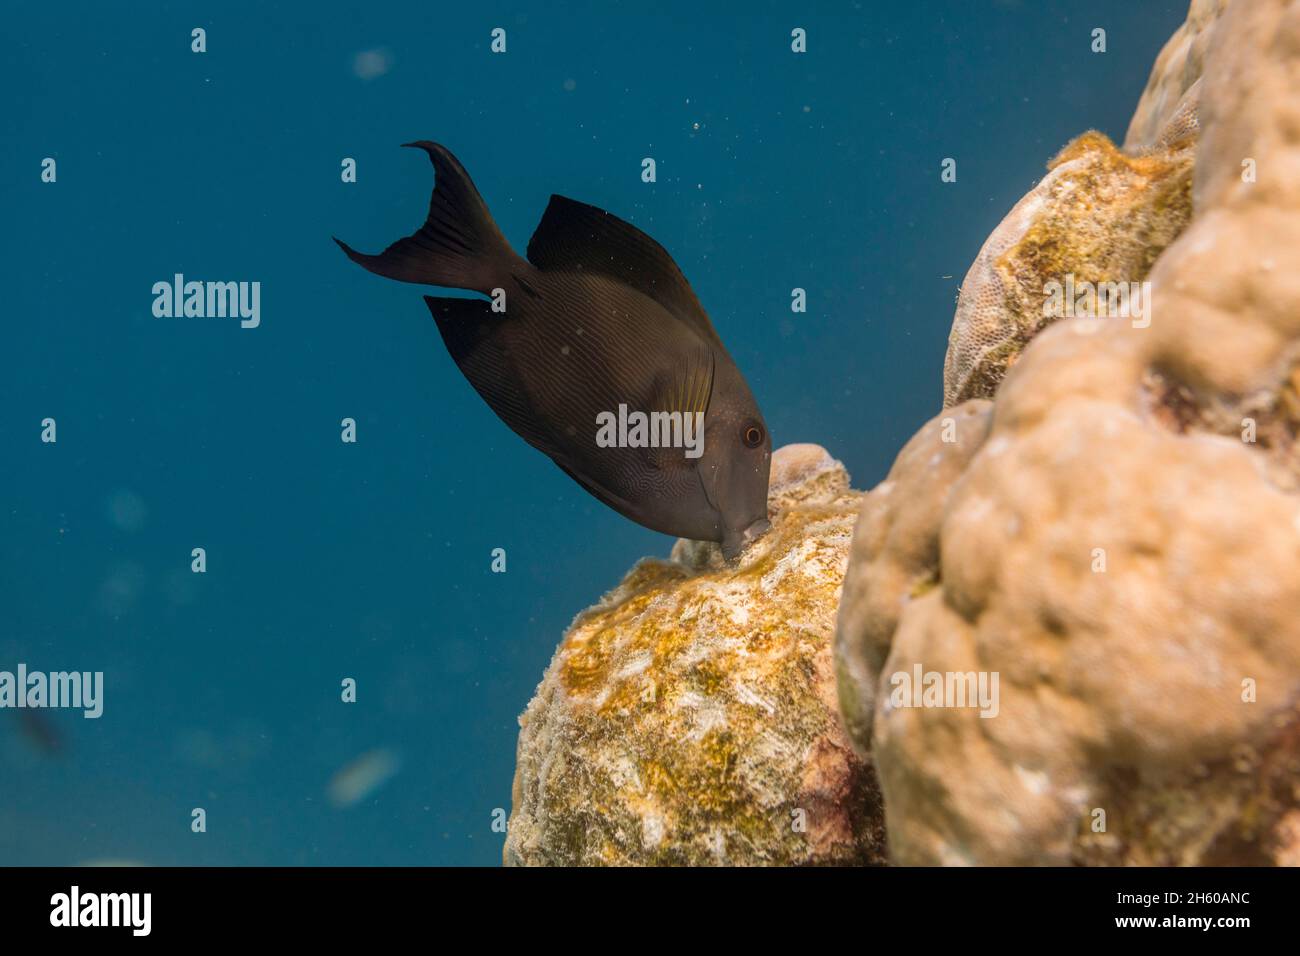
600	325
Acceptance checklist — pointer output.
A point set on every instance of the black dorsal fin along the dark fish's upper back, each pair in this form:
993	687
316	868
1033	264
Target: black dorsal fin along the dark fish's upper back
574	237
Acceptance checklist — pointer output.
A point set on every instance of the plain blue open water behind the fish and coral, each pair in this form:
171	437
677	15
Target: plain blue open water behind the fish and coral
372	561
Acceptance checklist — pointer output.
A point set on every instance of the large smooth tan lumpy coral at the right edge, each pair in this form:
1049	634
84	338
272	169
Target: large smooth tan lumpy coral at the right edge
1117	538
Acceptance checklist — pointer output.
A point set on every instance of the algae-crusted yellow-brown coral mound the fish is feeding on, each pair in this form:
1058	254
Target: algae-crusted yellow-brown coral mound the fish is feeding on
691	717
